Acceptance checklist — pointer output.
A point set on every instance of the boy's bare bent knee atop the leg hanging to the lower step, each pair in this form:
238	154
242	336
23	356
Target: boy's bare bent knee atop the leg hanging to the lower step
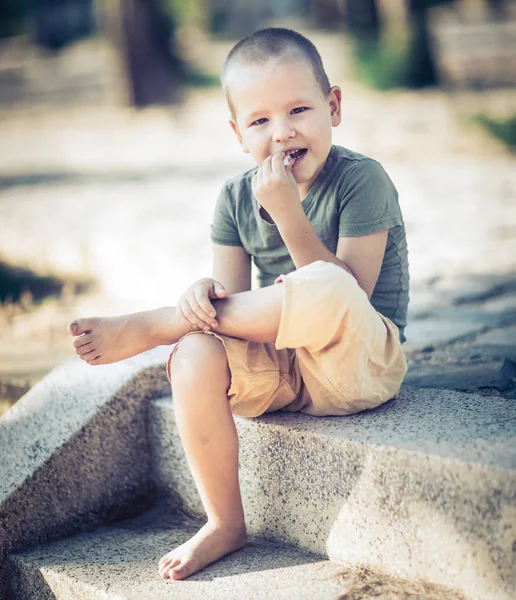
198	353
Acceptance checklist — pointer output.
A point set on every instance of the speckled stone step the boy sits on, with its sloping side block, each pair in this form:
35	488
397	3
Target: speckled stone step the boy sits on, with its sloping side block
421	488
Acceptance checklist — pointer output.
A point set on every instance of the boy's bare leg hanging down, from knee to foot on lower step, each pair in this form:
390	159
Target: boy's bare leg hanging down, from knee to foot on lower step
200	381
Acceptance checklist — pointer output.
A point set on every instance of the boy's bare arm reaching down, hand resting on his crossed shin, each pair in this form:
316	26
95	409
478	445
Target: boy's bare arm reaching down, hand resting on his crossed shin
231	274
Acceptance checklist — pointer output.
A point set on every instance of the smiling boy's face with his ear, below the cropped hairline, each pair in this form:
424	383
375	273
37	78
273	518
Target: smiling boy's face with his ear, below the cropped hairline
280	106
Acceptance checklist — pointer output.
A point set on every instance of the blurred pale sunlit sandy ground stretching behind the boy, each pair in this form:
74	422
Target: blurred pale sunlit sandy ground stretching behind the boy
127	197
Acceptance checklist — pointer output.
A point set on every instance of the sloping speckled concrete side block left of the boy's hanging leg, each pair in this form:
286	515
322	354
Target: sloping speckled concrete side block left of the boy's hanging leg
76	450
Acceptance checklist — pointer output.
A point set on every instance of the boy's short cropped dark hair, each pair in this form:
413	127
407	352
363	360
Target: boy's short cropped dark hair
274	42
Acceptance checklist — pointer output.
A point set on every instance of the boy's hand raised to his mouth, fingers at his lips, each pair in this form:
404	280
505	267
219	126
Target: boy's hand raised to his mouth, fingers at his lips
274	186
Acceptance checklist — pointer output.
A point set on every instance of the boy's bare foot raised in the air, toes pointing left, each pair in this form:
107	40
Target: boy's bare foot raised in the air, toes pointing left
101	341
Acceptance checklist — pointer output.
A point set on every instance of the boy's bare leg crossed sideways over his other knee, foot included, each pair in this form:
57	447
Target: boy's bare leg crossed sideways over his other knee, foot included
253	315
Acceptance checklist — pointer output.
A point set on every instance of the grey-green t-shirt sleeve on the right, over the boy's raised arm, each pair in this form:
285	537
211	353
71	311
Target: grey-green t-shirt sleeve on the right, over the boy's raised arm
368	201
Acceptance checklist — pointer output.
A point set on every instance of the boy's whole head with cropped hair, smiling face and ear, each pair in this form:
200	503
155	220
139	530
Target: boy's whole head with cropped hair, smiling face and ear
280	98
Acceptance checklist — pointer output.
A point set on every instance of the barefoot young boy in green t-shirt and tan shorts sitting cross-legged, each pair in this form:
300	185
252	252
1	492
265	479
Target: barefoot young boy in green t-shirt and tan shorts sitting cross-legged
323	225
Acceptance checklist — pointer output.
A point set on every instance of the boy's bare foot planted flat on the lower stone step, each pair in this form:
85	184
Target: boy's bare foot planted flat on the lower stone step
208	545
